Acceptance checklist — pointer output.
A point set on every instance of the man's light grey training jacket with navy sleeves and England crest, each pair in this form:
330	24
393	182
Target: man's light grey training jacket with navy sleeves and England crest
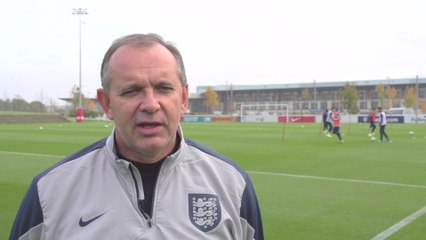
92	194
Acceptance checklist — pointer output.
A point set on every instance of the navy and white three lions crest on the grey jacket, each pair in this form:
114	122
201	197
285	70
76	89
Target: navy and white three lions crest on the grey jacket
204	211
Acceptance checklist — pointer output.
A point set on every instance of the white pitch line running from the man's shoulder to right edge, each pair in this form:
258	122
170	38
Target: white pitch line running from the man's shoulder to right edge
339	179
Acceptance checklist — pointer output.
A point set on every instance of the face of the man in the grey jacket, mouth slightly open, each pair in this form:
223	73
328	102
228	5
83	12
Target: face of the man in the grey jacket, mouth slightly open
146	100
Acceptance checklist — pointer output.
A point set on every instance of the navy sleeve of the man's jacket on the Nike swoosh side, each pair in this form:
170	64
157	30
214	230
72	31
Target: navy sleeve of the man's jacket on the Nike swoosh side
29	219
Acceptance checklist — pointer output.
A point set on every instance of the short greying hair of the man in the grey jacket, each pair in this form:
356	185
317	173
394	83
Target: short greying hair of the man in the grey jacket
140	40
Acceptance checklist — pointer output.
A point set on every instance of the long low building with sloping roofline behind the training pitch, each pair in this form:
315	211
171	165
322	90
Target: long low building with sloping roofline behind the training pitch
321	95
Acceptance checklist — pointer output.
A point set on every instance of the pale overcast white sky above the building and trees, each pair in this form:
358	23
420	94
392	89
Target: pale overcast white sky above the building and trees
222	41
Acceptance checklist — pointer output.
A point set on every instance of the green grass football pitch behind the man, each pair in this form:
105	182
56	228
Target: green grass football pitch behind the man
309	186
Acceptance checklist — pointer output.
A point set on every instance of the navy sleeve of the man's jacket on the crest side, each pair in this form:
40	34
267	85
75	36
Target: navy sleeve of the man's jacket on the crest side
250	211
